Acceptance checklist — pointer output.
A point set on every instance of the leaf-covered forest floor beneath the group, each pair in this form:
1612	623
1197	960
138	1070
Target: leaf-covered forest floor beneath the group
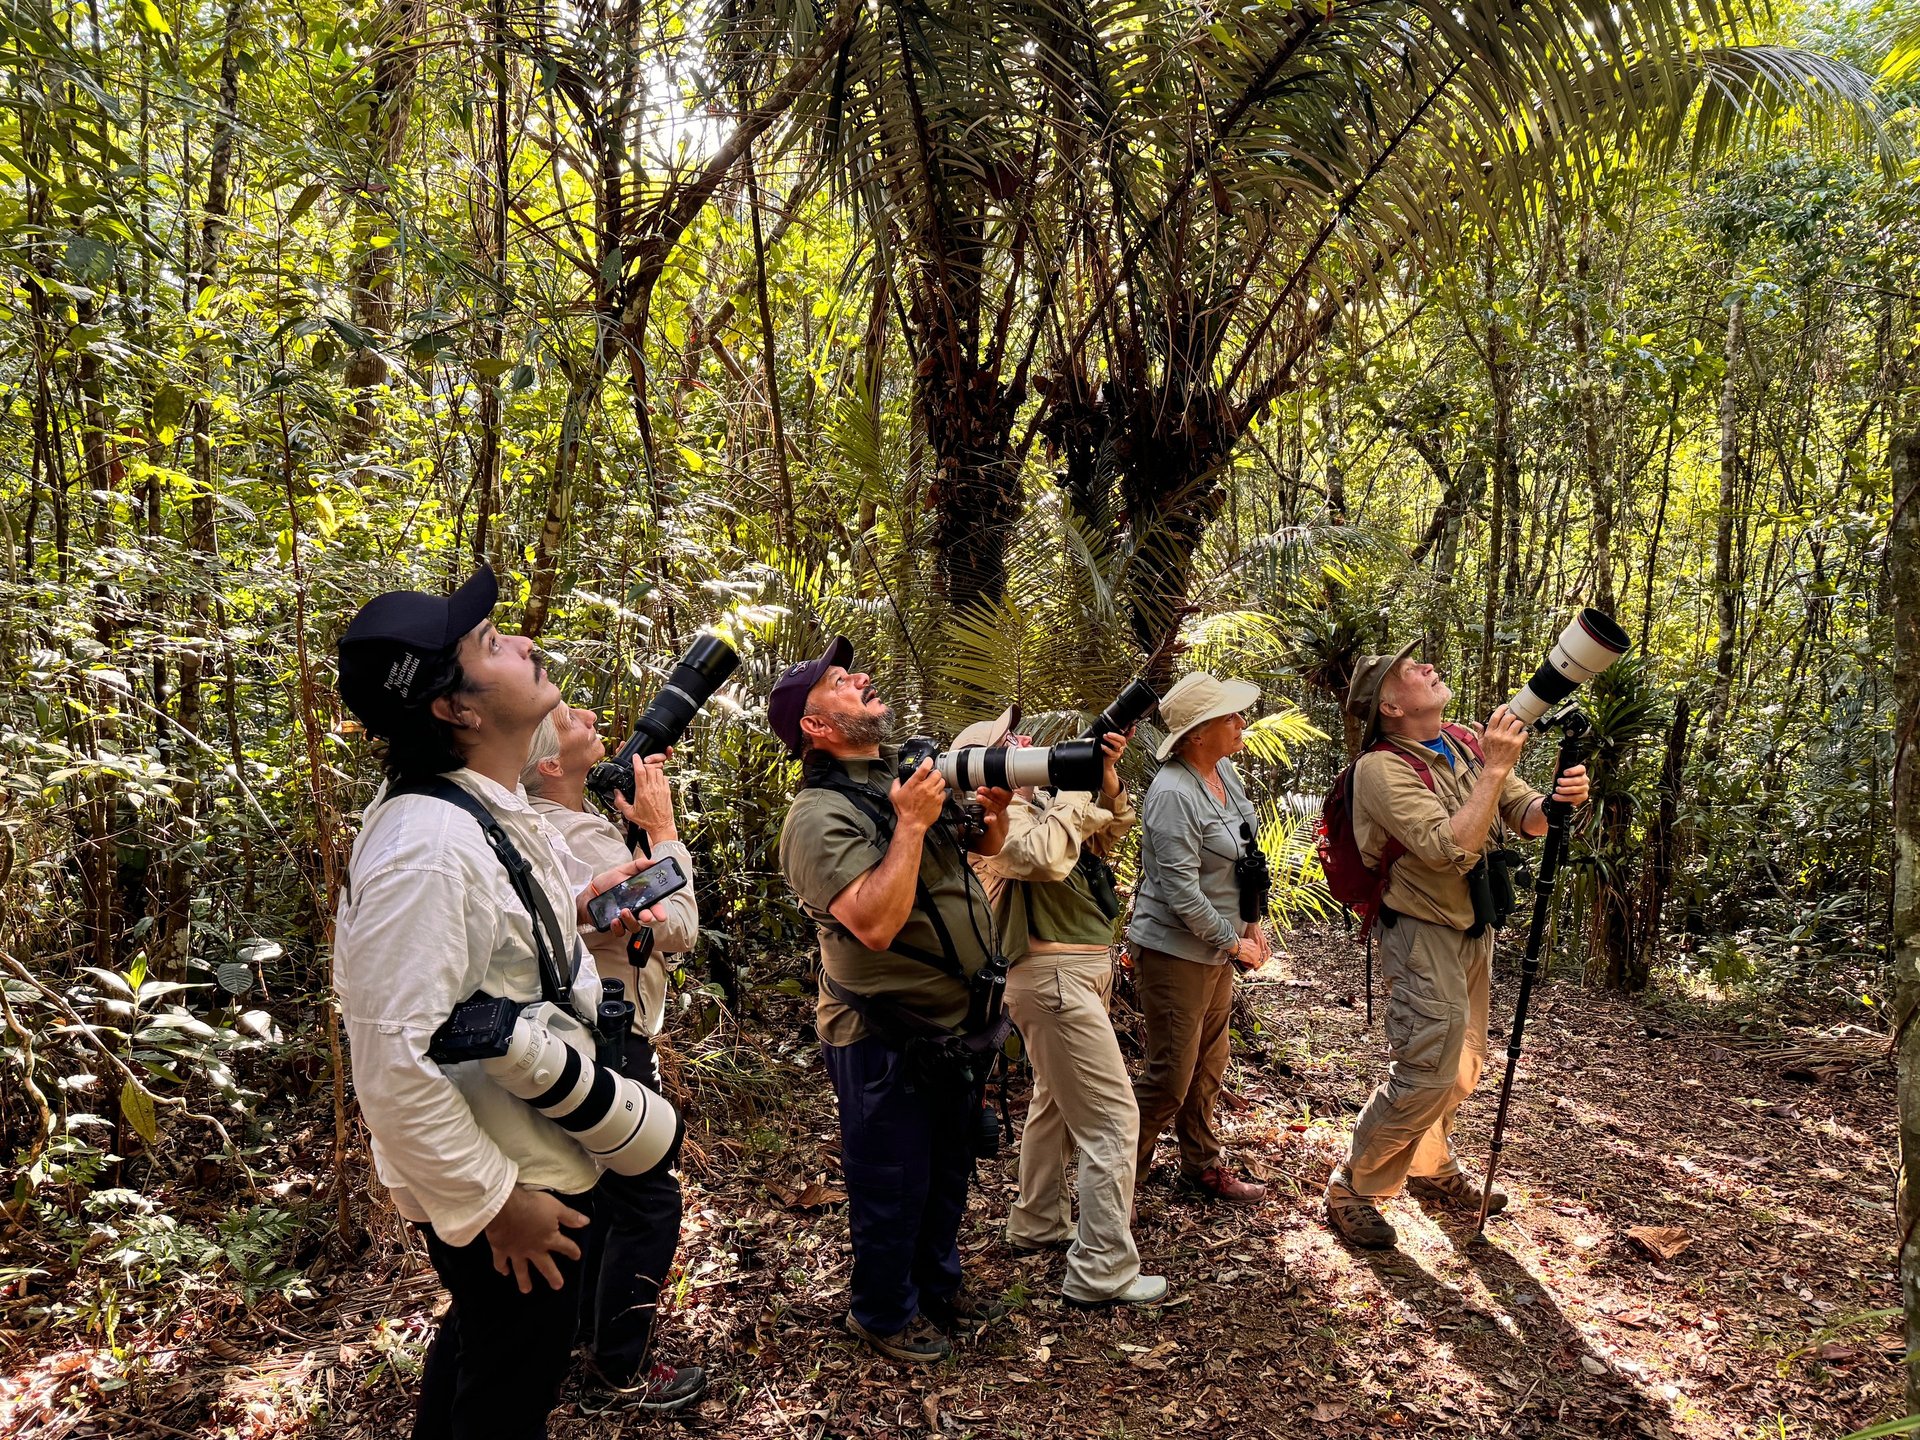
1700	1247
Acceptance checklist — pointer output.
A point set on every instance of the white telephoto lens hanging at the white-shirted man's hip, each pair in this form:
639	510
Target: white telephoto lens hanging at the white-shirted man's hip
625	1126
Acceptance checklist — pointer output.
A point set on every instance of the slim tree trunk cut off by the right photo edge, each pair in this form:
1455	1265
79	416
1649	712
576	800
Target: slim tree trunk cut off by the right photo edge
1904	571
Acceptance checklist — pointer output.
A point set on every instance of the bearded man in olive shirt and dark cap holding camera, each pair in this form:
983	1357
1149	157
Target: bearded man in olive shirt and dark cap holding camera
903	928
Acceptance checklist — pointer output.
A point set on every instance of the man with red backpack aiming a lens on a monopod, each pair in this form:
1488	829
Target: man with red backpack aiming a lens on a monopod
1429	802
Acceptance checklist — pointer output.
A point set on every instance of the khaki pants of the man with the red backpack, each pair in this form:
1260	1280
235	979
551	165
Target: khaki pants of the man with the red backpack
1437	1036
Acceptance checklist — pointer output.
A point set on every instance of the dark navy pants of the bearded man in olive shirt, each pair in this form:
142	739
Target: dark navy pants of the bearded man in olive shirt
907	1161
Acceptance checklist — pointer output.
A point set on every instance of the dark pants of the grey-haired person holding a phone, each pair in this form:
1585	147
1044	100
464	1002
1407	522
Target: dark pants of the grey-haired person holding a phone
631	1255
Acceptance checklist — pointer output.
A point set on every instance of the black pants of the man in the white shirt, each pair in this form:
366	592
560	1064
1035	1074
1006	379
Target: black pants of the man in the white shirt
498	1362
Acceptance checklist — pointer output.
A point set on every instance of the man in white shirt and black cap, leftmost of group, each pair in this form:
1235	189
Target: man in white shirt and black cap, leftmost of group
429	919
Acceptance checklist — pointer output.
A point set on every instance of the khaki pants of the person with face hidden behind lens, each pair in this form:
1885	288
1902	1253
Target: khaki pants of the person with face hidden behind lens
1080	1099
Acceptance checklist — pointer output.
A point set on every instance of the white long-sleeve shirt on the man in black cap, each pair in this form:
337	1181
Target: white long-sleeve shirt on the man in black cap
427	921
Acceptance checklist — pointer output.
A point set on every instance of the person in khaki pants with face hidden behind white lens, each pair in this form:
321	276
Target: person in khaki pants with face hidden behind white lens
1055	909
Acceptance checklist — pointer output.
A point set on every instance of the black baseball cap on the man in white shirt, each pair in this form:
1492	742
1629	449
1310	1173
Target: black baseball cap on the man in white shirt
398	650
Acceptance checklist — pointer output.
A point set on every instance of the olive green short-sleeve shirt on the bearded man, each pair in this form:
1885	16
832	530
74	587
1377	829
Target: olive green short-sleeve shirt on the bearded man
825	848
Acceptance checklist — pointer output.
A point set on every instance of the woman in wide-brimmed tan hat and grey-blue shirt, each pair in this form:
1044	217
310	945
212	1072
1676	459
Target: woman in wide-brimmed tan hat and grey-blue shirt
1186	934
